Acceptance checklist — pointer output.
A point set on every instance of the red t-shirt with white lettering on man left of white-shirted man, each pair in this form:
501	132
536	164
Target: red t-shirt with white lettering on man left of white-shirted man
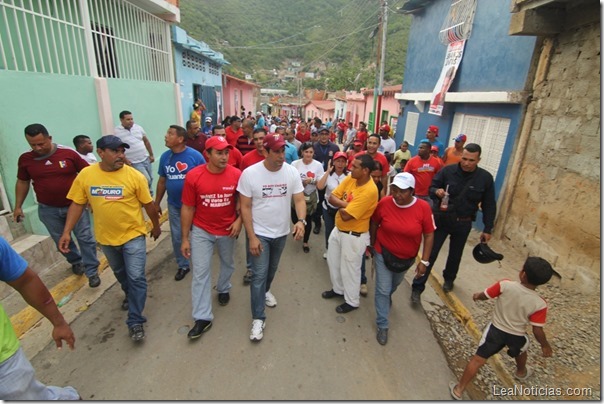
213	196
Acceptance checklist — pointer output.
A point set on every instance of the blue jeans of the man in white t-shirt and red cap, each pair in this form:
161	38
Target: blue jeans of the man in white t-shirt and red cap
264	268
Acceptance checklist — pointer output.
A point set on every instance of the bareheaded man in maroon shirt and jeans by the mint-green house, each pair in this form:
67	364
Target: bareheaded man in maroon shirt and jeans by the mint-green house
52	168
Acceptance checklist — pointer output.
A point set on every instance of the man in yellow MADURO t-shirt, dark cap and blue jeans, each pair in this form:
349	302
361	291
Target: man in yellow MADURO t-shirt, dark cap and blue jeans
116	192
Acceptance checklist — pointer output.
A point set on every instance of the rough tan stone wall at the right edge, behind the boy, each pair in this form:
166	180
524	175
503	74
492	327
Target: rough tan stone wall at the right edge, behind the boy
555	210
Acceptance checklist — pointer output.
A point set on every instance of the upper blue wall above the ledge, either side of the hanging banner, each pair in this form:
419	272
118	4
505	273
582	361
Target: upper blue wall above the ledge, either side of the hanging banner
492	60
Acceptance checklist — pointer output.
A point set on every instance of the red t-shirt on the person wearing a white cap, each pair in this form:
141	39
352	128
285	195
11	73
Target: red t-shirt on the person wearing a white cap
401	229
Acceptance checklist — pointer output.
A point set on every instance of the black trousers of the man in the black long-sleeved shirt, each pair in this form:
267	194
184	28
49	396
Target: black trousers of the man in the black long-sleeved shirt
446	225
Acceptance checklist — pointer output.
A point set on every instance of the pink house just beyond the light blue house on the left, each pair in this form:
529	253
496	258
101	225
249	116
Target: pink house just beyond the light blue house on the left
239	93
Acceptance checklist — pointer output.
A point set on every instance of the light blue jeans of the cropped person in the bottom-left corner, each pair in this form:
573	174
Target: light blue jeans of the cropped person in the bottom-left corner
18	382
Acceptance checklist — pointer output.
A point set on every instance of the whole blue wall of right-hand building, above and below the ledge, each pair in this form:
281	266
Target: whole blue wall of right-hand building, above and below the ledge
492	61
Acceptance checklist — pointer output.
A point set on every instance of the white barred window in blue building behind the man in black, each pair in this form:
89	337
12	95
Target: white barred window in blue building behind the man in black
489	132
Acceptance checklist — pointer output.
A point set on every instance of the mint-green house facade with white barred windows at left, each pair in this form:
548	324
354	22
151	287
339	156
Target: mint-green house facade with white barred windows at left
73	65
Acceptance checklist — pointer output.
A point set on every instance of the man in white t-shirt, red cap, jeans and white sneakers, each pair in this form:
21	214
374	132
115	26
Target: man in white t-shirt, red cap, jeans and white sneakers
266	191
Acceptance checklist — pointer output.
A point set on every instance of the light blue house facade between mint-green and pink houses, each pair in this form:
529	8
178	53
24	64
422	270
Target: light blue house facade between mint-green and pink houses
198	71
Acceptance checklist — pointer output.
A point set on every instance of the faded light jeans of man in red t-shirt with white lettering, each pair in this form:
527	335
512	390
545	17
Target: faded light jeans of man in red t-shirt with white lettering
202	247
